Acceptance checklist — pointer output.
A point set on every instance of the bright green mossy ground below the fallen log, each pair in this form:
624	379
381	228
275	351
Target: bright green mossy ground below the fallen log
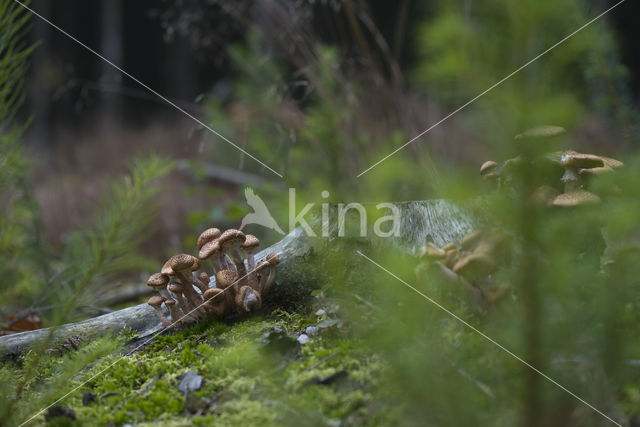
250	377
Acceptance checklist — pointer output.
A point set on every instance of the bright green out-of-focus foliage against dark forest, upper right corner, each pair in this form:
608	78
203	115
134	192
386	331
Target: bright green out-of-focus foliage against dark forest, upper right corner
469	46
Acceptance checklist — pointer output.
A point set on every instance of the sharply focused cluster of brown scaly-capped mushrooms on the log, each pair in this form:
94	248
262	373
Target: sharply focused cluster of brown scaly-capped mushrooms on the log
191	295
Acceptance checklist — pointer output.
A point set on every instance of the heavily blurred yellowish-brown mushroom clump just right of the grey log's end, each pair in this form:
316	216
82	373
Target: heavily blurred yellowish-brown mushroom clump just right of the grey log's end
473	264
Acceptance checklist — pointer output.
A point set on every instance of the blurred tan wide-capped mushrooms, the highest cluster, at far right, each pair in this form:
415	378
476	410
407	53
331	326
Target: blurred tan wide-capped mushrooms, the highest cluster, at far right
574	169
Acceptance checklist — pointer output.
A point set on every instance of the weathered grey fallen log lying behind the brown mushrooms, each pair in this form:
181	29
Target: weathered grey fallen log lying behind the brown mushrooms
301	269
